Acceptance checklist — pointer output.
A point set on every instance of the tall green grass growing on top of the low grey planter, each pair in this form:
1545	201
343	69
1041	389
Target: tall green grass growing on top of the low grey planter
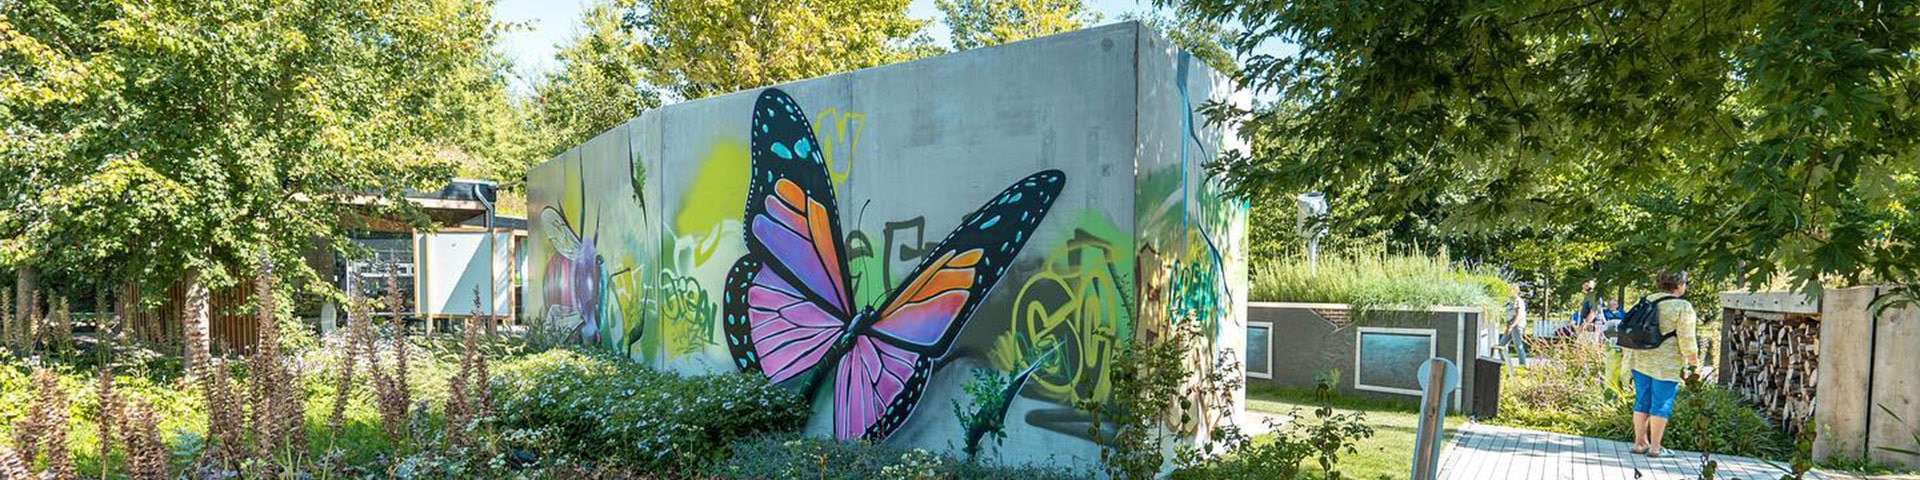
1380	279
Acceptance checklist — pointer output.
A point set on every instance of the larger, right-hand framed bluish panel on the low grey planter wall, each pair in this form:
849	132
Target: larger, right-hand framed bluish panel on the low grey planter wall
1389	360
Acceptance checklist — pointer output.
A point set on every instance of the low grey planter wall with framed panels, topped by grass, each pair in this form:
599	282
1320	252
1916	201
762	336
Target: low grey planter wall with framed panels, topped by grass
1376	356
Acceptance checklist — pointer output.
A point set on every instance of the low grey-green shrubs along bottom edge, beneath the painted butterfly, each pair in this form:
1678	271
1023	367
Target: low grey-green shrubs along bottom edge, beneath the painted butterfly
819	458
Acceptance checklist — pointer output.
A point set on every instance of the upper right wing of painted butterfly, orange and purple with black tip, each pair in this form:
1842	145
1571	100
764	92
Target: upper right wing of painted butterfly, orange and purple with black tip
926	312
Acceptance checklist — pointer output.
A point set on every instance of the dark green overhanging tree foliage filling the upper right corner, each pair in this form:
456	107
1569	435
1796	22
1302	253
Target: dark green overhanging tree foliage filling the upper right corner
1748	141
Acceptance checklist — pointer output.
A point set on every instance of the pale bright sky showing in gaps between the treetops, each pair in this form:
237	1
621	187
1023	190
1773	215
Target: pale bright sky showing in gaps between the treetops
548	24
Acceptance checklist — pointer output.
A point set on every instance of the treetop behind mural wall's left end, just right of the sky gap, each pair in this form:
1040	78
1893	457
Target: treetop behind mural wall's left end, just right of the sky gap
598	85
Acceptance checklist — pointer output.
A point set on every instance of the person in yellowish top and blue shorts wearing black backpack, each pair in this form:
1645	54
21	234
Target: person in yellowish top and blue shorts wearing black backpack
1658	372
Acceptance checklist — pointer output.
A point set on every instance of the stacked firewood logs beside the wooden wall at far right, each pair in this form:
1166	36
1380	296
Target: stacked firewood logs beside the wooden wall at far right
1773	362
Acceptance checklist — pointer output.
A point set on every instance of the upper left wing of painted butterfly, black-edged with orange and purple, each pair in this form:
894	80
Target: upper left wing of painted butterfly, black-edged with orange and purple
792	218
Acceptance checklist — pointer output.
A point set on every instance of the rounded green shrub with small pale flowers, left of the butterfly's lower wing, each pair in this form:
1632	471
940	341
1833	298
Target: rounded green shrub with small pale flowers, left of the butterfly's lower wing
598	408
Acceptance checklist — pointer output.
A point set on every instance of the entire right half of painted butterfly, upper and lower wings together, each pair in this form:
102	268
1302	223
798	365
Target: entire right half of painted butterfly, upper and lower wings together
882	377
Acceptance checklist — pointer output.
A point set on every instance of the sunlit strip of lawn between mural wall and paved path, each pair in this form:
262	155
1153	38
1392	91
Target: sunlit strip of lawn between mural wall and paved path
1387	454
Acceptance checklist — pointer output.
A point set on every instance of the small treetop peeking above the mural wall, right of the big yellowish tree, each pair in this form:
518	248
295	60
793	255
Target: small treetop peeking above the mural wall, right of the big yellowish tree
978	24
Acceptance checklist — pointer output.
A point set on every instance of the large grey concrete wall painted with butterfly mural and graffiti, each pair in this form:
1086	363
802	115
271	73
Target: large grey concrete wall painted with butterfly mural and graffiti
1093	135
